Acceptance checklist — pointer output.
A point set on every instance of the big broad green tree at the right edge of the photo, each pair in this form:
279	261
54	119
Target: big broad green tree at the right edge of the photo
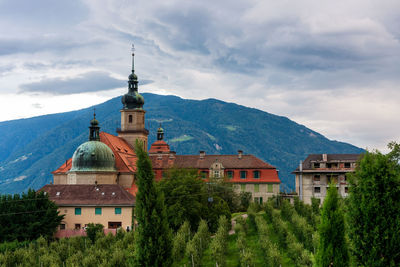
373	209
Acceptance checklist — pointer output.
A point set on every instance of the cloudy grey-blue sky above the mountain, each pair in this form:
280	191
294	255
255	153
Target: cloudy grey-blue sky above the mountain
333	66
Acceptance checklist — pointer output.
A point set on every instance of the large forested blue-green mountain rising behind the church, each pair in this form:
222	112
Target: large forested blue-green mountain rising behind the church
31	148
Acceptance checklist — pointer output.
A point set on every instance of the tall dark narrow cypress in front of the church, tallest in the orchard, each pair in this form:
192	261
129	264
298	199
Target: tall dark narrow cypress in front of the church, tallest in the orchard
153	242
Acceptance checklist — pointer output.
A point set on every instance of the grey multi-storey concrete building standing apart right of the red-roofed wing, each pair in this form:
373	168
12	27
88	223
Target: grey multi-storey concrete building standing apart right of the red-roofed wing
317	171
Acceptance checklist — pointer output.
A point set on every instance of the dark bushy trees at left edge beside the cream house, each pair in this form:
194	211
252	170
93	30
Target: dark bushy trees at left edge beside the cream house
28	216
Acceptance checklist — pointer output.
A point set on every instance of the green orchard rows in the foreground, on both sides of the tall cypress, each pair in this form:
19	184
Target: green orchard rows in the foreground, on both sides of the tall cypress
268	236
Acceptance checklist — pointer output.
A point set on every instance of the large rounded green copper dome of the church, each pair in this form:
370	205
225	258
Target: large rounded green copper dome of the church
93	156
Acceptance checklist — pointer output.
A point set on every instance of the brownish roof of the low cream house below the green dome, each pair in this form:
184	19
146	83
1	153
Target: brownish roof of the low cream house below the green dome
89	195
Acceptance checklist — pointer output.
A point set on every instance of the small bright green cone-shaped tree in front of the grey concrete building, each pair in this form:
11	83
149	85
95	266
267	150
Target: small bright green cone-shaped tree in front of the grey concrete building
332	248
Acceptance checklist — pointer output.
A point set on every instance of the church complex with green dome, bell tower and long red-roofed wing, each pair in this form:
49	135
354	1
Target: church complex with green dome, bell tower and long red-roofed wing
106	165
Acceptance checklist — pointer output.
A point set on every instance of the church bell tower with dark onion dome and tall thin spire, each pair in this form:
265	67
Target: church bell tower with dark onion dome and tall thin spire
132	112
